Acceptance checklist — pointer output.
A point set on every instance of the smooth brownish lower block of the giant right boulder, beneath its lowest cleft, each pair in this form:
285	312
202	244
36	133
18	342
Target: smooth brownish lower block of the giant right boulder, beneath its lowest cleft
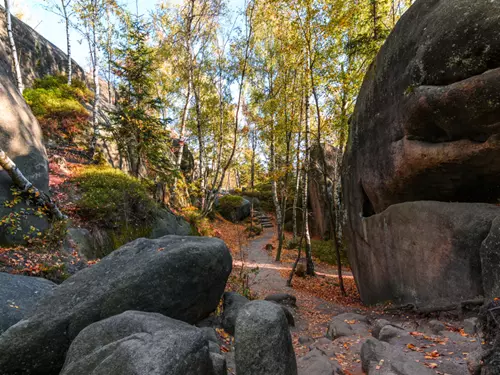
440	240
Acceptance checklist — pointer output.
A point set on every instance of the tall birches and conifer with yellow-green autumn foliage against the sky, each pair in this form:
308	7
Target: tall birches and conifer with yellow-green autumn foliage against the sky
250	91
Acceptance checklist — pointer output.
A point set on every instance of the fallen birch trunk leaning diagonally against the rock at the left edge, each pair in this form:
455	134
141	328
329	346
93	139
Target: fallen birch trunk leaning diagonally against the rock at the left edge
39	197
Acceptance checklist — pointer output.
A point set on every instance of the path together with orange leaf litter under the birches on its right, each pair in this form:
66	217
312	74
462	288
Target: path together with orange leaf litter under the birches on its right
319	300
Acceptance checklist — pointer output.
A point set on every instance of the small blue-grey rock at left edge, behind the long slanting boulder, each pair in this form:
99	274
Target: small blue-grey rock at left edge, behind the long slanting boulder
19	296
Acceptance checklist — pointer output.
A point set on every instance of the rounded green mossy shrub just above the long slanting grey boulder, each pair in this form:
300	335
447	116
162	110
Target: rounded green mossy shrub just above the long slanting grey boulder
113	199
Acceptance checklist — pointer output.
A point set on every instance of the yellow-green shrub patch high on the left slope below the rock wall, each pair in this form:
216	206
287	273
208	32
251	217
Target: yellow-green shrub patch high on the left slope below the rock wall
58	107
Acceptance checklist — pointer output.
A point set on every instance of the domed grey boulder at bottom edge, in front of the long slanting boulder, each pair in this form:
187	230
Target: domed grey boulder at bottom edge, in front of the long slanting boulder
139	343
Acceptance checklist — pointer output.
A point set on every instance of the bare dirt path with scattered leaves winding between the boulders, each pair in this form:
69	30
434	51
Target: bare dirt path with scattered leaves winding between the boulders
313	315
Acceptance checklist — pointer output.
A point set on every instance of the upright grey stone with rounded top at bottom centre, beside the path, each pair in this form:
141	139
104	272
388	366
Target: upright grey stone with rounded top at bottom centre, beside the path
263	344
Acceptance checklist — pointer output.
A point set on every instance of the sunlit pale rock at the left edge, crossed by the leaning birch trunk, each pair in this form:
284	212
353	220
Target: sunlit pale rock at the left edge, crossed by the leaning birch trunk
21	139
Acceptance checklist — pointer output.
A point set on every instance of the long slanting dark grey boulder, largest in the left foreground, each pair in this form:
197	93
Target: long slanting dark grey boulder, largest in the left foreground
180	277
